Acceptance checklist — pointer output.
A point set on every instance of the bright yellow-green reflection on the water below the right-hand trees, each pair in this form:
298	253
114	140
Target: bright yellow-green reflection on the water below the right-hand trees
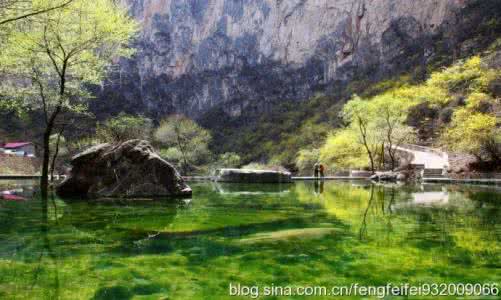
382	212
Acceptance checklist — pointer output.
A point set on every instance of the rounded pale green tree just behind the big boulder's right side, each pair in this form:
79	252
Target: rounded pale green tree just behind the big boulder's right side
184	141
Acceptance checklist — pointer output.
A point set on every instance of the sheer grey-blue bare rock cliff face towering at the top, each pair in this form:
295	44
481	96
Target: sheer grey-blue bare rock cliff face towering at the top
194	55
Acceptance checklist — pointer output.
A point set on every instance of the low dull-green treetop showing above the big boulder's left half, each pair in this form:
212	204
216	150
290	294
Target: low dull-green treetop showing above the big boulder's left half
124	127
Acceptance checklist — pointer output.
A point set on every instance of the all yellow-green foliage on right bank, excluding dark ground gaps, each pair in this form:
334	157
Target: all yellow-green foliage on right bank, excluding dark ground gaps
472	129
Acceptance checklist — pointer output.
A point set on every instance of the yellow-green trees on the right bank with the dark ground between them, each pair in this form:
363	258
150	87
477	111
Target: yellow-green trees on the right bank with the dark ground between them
463	98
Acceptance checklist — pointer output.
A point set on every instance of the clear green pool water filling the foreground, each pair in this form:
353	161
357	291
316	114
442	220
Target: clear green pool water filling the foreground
301	234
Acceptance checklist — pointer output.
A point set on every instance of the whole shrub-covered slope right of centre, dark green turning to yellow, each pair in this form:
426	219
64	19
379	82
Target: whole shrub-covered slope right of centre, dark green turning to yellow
455	108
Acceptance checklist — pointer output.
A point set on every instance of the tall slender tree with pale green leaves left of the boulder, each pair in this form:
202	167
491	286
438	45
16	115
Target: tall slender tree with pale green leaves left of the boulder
50	58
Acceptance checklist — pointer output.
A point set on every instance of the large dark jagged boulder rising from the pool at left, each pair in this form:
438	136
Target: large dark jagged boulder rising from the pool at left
129	169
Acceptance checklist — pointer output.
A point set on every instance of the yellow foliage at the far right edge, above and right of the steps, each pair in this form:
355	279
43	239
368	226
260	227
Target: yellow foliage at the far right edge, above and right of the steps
471	129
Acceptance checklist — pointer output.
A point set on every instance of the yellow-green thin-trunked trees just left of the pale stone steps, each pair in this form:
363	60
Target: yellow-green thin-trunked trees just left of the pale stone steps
373	123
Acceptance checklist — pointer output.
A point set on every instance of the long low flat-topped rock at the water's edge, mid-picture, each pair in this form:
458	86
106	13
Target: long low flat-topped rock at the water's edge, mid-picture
252	176
